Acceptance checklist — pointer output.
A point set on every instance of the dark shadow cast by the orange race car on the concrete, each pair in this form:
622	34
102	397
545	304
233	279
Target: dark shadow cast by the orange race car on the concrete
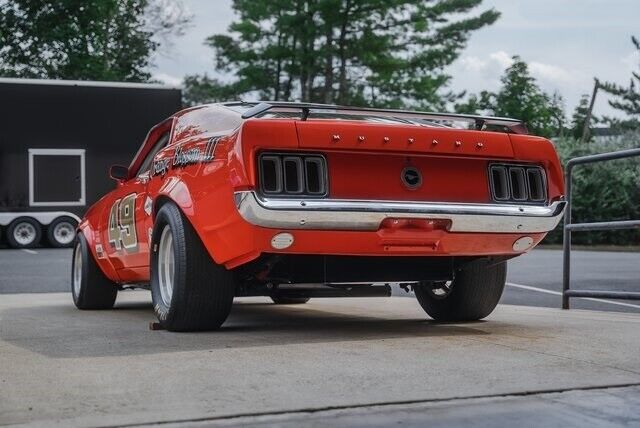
62	331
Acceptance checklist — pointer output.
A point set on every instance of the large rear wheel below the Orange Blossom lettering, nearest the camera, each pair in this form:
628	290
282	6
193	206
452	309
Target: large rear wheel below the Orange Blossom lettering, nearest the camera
190	291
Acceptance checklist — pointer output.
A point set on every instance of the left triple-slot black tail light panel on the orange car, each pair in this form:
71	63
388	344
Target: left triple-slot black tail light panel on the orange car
290	174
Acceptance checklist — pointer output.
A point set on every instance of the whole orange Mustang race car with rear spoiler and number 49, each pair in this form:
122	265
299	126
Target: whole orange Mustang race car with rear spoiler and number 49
295	201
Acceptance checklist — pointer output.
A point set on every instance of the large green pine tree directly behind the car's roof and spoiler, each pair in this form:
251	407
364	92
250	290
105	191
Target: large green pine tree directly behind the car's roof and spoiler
389	53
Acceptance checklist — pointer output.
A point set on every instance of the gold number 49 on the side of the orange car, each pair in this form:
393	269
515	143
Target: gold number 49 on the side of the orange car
122	224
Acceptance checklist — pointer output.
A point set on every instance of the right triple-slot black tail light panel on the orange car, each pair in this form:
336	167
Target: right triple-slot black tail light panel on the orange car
517	183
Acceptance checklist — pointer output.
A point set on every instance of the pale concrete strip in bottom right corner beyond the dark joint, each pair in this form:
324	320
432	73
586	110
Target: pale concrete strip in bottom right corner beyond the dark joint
565	409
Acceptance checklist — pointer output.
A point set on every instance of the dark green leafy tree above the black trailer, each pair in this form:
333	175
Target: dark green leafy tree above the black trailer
84	39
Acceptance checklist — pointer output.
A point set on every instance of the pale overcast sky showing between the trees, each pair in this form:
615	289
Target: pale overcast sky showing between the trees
566	43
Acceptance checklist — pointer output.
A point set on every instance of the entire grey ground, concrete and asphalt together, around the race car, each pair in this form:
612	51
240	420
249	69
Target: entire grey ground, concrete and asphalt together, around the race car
331	362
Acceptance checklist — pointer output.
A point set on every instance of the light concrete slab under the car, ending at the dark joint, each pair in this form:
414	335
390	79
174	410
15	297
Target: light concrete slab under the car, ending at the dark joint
62	366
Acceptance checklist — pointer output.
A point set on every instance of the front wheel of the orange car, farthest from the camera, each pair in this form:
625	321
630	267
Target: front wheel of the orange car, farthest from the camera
90	288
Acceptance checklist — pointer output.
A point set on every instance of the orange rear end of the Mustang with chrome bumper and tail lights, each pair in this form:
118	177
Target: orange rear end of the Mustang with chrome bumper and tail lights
368	188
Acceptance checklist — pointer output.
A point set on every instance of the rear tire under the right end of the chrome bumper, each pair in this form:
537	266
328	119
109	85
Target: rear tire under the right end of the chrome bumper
472	295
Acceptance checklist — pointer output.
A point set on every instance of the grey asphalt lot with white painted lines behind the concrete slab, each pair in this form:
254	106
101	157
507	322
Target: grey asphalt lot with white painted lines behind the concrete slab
534	279
